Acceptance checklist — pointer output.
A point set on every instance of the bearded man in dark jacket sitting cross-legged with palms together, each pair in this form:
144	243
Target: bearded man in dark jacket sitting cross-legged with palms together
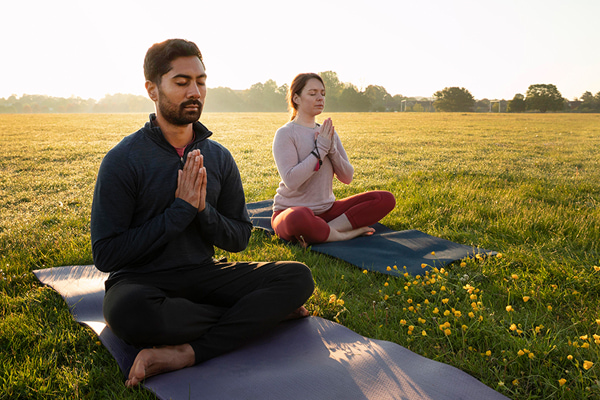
164	197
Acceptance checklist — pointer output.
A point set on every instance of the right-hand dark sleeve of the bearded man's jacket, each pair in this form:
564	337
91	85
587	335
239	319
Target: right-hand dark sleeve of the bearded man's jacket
226	224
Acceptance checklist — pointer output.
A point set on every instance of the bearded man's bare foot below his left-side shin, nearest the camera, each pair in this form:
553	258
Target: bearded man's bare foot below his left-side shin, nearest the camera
158	360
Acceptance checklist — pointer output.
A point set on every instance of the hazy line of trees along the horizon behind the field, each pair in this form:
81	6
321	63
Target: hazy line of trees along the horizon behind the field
268	96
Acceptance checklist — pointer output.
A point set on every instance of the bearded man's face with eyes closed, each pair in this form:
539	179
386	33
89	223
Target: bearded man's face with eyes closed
182	91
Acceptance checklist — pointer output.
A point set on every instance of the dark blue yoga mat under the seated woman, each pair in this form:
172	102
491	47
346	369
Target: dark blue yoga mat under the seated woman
385	248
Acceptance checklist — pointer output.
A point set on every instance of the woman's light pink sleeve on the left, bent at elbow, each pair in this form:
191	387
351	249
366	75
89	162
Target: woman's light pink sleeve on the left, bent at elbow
293	172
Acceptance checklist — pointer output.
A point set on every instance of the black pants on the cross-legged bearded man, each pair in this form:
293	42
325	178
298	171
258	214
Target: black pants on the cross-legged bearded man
214	308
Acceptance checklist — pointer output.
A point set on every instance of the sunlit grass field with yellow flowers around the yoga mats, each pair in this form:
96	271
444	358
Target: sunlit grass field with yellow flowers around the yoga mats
528	186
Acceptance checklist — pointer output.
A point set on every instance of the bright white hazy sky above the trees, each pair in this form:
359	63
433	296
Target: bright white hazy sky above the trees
494	49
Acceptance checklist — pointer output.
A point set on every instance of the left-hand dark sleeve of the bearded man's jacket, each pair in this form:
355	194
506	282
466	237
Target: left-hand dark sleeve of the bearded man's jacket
115	243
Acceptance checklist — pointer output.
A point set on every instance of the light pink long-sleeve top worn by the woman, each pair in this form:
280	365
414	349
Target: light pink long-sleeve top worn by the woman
300	184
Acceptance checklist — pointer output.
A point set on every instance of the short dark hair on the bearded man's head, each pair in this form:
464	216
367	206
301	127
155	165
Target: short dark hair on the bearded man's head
160	56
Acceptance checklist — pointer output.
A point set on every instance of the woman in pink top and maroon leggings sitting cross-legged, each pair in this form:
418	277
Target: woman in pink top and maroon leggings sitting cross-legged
307	156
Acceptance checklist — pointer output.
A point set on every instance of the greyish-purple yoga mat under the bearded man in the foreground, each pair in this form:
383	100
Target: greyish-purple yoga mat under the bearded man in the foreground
310	358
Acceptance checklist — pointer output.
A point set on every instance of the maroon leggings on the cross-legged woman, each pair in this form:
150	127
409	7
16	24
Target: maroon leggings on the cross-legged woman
301	223
